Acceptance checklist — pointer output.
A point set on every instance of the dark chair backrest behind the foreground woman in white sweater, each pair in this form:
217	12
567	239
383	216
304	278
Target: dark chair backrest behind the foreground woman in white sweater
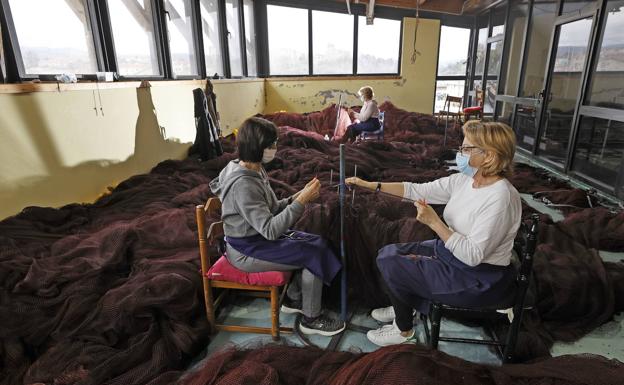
528	238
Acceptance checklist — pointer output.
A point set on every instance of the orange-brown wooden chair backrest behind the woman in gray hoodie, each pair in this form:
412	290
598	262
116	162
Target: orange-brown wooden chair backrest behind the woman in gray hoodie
214	235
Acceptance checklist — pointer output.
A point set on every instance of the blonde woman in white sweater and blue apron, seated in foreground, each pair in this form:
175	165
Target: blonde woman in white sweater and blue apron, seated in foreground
470	263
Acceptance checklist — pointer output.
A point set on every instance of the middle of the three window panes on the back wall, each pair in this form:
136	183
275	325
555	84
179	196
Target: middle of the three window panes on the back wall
332	47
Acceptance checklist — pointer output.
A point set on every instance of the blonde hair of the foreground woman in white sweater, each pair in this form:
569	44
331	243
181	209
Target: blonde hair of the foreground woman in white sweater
497	138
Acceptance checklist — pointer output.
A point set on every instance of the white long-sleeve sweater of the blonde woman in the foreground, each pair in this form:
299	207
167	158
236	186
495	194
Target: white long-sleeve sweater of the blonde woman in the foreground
484	220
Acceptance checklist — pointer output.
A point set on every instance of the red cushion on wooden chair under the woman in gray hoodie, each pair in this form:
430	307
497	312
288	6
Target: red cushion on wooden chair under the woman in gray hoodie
223	270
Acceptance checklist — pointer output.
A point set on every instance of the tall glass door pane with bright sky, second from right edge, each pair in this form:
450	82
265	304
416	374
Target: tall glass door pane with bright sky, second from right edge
563	89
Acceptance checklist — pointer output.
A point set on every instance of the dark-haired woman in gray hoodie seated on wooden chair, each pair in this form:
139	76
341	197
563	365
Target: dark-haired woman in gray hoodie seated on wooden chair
256	226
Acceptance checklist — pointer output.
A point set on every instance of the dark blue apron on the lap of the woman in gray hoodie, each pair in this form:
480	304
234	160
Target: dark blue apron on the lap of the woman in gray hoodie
294	248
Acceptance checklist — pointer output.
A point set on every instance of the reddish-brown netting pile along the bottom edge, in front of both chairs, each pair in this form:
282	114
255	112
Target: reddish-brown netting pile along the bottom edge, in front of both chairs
398	364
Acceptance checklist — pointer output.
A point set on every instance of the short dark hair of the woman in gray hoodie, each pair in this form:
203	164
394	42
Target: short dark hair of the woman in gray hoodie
253	137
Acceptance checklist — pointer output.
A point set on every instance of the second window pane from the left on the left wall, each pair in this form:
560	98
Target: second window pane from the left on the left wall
133	32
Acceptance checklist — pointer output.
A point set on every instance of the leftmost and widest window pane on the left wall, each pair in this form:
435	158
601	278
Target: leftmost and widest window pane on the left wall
54	36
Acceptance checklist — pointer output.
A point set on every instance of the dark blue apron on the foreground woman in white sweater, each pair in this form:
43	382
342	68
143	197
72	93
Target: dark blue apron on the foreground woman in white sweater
421	272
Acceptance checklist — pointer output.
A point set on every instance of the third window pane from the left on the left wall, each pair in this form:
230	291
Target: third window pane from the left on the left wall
181	41
